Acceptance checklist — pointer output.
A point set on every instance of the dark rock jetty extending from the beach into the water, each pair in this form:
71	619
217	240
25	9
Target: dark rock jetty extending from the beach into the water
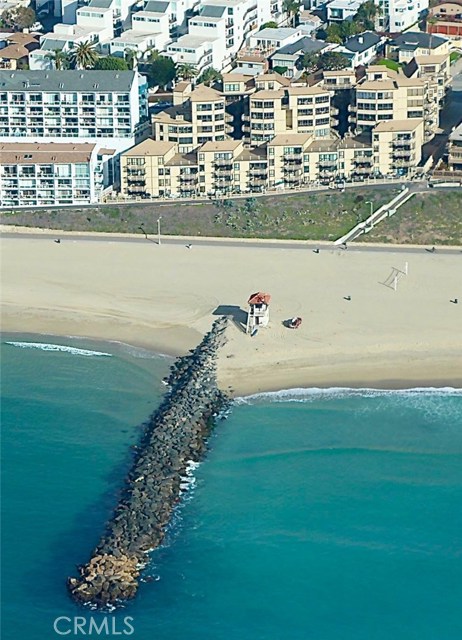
175	435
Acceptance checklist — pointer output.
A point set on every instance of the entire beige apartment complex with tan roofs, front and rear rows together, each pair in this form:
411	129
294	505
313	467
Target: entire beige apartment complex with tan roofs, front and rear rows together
286	132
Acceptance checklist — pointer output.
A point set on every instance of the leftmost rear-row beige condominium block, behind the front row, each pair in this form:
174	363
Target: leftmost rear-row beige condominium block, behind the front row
197	117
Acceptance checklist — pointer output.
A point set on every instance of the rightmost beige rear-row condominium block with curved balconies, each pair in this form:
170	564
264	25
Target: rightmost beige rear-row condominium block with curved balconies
387	95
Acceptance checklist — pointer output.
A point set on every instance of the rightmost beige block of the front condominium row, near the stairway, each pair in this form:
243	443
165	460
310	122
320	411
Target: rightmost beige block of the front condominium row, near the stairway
398	146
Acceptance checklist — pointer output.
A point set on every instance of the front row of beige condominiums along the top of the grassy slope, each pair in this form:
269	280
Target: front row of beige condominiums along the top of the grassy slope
157	169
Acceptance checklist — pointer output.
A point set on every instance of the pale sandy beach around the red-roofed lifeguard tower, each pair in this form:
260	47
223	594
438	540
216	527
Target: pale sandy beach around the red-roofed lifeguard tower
166	297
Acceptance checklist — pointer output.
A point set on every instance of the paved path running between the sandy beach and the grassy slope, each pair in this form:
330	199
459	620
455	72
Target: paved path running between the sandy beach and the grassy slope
202	242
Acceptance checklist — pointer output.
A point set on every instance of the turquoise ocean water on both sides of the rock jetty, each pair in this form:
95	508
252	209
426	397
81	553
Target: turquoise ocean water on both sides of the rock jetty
332	515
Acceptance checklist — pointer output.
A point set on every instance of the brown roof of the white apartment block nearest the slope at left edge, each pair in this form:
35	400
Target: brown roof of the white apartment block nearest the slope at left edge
38	153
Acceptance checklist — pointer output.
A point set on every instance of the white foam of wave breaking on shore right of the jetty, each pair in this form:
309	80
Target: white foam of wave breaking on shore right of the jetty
316	393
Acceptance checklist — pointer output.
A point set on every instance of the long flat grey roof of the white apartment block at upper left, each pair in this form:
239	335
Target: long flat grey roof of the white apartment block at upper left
67	80
